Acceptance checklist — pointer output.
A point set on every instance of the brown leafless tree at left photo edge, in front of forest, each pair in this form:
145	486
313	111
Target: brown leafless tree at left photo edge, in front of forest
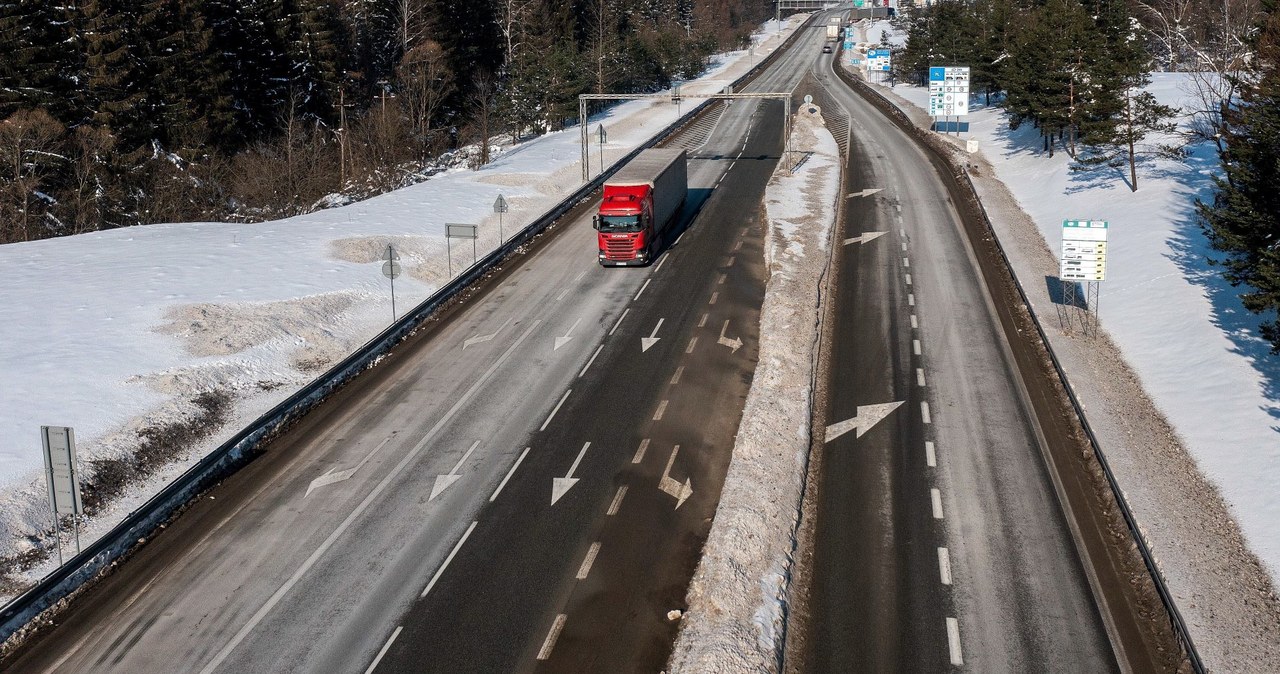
29	144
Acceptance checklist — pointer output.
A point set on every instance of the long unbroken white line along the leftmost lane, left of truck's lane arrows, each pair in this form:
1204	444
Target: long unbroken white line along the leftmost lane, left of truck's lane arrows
364	506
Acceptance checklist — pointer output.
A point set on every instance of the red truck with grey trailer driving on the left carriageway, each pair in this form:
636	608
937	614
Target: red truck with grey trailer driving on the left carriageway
641	203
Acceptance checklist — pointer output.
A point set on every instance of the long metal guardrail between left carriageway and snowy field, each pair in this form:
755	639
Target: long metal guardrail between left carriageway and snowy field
236	452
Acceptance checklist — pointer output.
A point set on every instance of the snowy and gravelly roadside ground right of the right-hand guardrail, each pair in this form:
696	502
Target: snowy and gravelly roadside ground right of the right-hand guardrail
1180	388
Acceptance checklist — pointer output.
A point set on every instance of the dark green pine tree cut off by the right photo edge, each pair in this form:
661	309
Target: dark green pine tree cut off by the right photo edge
1244	221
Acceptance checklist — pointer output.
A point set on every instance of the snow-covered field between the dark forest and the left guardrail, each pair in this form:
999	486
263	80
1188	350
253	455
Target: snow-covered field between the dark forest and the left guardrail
116	332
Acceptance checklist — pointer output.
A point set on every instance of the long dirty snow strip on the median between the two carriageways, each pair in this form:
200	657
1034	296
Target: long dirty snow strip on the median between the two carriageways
738	597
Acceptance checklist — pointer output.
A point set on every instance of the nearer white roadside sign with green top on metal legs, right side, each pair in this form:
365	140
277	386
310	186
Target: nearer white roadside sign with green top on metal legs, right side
1084	260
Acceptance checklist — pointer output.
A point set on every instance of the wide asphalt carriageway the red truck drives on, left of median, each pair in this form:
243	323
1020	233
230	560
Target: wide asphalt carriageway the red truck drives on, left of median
410	526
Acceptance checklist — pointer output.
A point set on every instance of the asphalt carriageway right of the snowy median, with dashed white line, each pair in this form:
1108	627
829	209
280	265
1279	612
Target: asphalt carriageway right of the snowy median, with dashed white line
940	542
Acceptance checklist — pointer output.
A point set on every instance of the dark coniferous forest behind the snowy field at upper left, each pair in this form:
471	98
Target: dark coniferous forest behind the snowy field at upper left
118	113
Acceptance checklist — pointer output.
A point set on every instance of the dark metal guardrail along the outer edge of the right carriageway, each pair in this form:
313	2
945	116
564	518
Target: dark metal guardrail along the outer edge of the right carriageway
1176	617
